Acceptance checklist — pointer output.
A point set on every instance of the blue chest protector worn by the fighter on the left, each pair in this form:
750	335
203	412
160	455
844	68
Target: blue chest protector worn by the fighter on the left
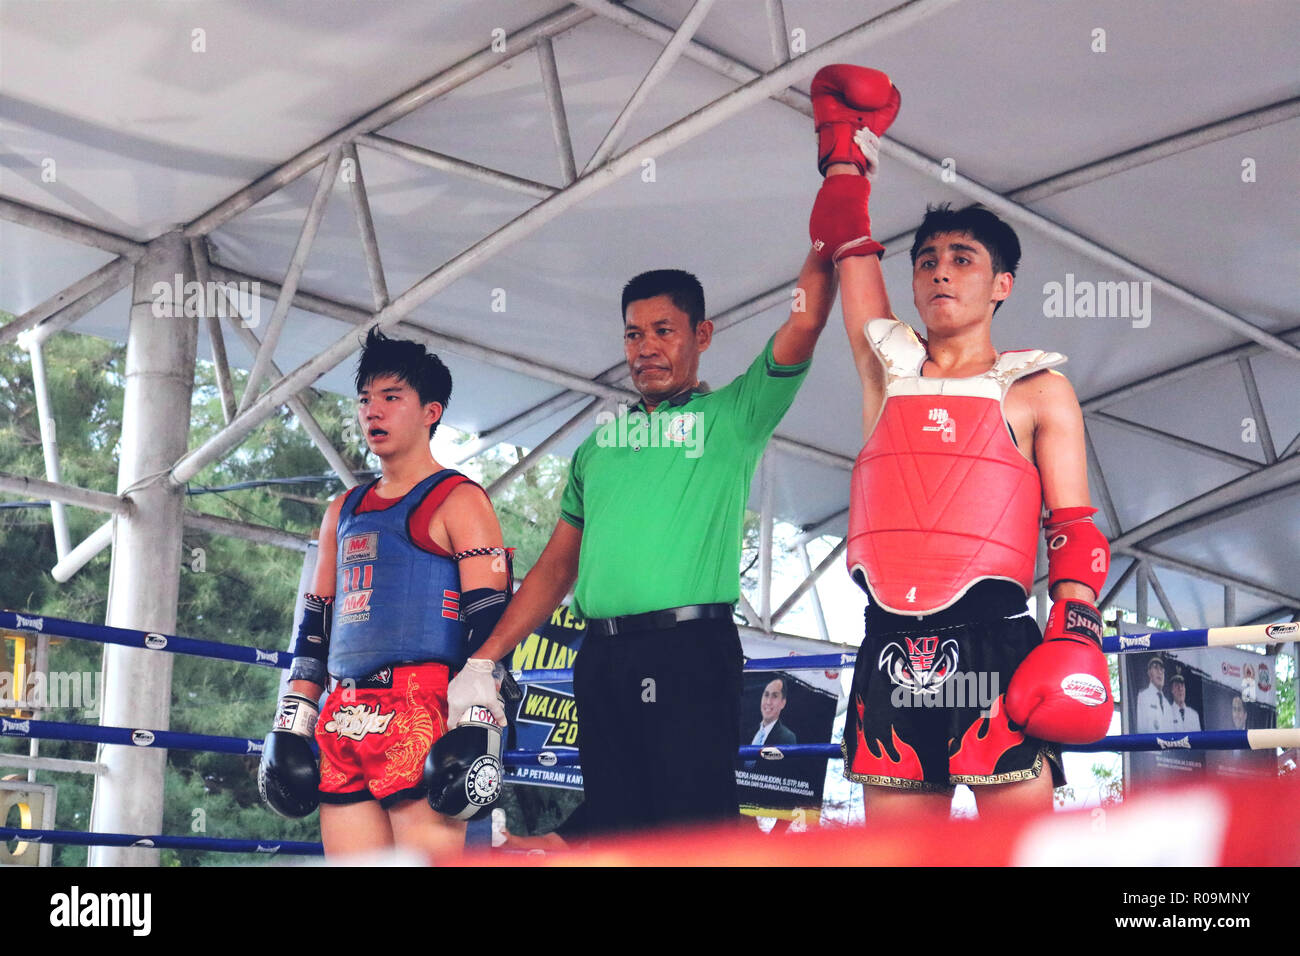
395	602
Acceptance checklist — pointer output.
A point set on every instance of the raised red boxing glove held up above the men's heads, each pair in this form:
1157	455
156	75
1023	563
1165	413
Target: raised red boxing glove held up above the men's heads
846	100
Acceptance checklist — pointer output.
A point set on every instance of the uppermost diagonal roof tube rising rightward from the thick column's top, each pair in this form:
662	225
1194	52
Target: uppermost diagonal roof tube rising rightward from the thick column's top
380	118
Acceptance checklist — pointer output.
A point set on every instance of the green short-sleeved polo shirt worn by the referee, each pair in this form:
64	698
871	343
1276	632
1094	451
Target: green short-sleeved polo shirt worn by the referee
661	498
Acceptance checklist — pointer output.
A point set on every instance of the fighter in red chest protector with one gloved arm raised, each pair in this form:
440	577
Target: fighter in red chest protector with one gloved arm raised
965	448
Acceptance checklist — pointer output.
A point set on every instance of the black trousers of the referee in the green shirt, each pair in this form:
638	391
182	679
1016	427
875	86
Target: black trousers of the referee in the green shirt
660	725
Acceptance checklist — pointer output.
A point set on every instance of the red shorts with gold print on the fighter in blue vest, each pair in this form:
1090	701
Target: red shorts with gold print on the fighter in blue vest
375	734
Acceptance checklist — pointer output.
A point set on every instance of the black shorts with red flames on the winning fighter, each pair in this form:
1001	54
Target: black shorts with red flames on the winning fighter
926	711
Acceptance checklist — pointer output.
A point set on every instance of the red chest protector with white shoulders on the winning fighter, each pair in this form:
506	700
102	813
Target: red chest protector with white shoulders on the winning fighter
941	496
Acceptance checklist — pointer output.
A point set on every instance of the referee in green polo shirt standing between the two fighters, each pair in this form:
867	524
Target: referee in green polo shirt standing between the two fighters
651	529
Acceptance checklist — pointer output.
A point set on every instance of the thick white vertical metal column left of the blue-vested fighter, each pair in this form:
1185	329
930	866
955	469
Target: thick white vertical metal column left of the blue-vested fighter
145	581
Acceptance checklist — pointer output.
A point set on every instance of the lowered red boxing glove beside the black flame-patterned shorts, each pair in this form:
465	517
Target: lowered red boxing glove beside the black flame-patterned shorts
1061	691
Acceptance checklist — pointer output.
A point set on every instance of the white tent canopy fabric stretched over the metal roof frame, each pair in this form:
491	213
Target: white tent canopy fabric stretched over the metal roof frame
1181	120
